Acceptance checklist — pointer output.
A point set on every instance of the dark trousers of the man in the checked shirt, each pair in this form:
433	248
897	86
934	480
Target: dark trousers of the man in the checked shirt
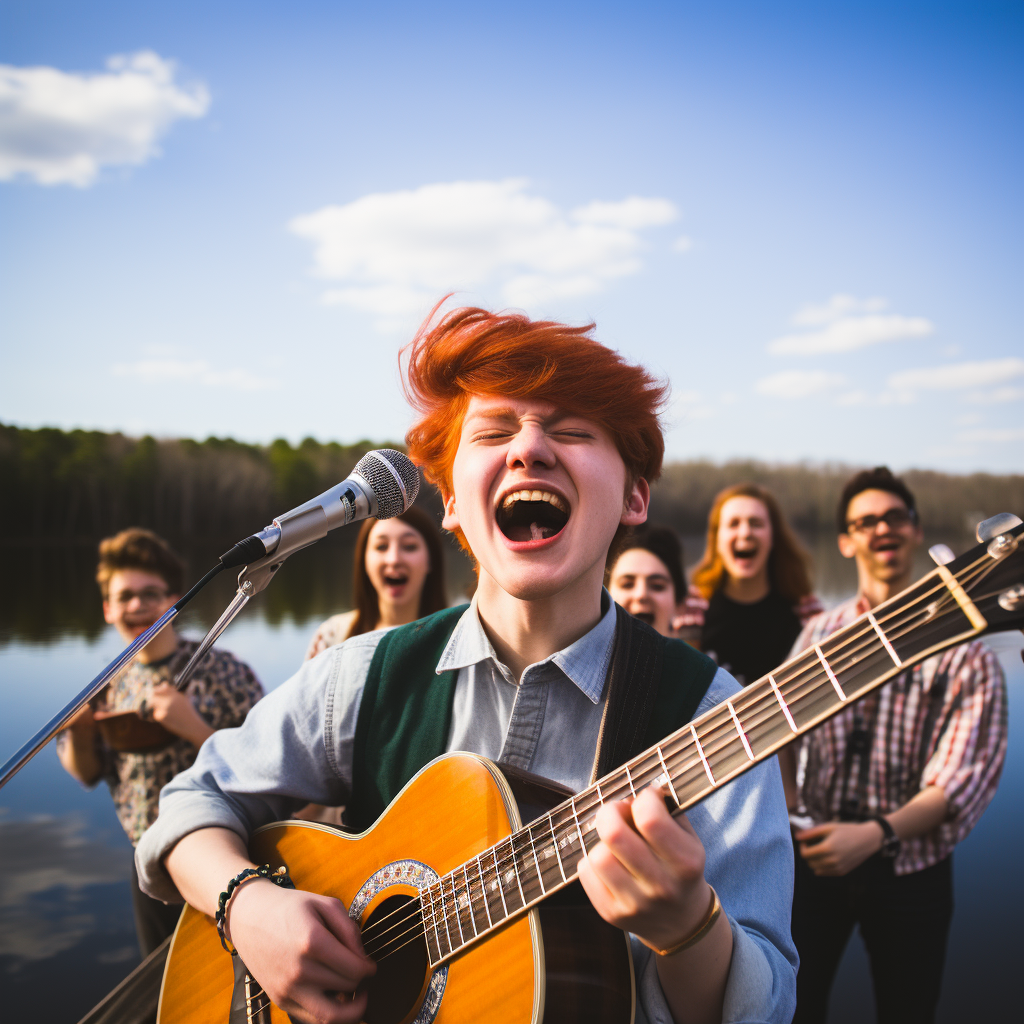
905	922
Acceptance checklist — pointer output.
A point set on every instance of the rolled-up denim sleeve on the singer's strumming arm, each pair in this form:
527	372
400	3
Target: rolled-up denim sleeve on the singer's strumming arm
285	755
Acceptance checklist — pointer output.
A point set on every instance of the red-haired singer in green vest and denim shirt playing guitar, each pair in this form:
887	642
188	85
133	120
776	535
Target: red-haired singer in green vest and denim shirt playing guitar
543	444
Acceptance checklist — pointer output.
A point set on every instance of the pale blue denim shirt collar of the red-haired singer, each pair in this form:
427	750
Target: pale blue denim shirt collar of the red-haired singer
585	663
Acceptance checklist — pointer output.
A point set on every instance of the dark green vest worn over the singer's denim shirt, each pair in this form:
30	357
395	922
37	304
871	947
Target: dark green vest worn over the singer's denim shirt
406	712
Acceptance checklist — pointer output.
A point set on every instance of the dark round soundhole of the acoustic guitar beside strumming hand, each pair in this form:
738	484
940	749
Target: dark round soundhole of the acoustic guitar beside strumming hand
402	960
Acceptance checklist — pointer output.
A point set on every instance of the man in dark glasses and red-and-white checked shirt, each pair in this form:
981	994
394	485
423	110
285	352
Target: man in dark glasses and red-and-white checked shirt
882	793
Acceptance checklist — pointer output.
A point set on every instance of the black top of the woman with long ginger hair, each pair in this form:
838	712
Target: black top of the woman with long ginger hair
749	641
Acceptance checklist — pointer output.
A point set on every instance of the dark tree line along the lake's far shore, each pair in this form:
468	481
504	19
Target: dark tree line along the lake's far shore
84	485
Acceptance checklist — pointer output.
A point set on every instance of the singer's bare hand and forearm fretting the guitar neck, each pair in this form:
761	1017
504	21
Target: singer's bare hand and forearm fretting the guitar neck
647	877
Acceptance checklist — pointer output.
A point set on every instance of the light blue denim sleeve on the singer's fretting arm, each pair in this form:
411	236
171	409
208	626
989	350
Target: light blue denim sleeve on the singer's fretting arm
746	834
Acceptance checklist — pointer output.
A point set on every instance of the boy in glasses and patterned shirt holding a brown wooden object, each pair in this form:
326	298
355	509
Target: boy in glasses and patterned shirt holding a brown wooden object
142	732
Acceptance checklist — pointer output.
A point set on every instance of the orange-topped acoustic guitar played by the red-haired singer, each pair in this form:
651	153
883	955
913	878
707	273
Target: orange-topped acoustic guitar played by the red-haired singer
475	917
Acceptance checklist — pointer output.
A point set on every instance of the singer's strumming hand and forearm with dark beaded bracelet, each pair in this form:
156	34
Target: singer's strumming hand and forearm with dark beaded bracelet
301	946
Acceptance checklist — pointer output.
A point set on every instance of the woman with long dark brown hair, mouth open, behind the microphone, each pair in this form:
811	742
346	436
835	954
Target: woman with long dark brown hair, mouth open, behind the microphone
398	577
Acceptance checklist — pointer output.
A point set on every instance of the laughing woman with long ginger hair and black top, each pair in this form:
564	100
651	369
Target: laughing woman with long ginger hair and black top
755	578
